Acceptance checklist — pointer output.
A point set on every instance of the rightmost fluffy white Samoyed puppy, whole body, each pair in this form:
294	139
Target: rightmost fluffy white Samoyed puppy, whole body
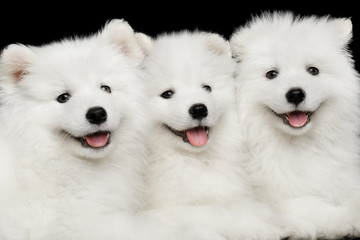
298	102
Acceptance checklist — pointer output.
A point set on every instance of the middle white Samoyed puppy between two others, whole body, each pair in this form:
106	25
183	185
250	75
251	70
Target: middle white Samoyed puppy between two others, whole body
194	173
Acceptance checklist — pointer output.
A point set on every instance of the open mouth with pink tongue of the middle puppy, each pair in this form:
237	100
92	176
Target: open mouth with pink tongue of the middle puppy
197	136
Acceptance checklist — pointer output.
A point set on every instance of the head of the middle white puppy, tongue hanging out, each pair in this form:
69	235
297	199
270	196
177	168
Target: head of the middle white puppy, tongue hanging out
190	83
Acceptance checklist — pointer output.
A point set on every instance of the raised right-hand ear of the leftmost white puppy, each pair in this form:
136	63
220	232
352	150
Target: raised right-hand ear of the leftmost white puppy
120	33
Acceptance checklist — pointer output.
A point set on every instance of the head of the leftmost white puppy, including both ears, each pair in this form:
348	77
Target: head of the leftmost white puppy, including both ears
76	92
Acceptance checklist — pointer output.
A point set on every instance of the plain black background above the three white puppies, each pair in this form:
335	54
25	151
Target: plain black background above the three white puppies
39	24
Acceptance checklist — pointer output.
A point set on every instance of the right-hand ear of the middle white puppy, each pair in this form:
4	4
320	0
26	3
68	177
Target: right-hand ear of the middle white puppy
217	44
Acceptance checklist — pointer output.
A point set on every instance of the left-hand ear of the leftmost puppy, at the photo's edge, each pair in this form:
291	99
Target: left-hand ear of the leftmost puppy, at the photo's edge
15	61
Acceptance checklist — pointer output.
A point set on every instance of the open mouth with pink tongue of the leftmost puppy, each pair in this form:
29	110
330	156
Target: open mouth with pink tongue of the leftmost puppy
95	140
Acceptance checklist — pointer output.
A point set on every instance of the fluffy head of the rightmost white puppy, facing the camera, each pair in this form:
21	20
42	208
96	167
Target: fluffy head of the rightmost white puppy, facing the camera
293	70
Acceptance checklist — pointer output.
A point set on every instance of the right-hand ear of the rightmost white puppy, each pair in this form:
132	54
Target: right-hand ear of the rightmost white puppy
343	30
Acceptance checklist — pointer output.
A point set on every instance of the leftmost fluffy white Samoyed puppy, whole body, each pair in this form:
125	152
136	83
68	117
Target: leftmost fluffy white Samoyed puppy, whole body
73	126
